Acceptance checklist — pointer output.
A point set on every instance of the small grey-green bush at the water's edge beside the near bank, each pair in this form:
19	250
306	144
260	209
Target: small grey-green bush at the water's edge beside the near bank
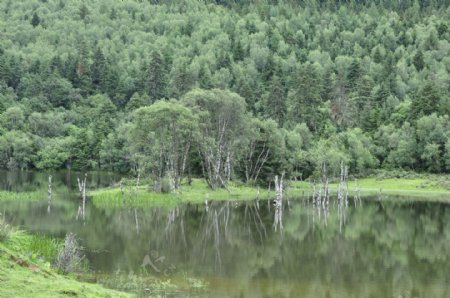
70	257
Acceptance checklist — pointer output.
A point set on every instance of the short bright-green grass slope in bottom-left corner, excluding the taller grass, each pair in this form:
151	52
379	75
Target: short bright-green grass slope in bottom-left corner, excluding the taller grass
21	277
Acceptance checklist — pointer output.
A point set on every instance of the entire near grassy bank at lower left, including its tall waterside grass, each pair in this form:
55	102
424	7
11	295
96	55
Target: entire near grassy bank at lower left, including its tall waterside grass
25	272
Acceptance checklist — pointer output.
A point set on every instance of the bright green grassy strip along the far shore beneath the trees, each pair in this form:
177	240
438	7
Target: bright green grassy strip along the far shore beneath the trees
424	188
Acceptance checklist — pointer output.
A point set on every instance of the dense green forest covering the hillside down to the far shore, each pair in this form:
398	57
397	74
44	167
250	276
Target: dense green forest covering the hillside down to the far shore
225	89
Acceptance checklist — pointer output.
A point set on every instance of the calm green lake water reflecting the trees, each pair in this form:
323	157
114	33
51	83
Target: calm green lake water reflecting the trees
373	249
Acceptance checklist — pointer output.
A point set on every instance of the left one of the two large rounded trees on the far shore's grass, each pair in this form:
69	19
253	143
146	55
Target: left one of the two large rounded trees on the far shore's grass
161	138
